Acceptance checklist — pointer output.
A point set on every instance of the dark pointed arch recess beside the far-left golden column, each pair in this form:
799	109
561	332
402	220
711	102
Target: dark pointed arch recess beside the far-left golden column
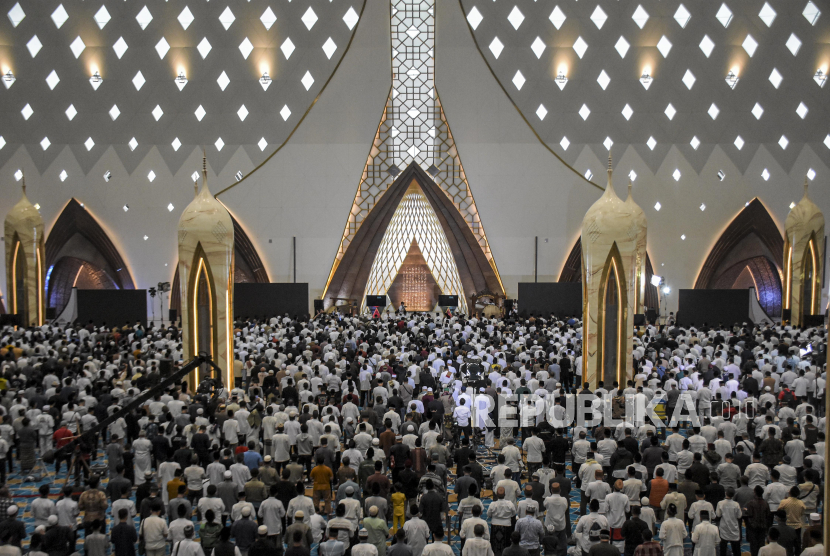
80	252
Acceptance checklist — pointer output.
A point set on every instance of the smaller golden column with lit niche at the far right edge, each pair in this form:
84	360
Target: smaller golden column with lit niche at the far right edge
803	259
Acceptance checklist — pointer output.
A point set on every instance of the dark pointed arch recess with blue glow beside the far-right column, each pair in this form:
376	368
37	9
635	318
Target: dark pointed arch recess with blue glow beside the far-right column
751	245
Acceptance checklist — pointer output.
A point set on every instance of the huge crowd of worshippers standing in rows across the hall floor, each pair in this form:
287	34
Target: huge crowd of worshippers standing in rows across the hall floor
382	419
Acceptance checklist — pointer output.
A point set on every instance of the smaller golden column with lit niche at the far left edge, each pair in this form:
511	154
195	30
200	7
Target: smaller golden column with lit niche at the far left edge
25	259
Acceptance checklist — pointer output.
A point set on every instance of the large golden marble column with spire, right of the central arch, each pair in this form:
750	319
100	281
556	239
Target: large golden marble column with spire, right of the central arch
613	253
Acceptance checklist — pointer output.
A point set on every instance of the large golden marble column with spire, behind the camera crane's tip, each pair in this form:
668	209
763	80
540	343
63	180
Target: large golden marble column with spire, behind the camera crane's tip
206	281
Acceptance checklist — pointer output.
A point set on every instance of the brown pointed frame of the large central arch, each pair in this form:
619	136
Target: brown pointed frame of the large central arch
351	275
